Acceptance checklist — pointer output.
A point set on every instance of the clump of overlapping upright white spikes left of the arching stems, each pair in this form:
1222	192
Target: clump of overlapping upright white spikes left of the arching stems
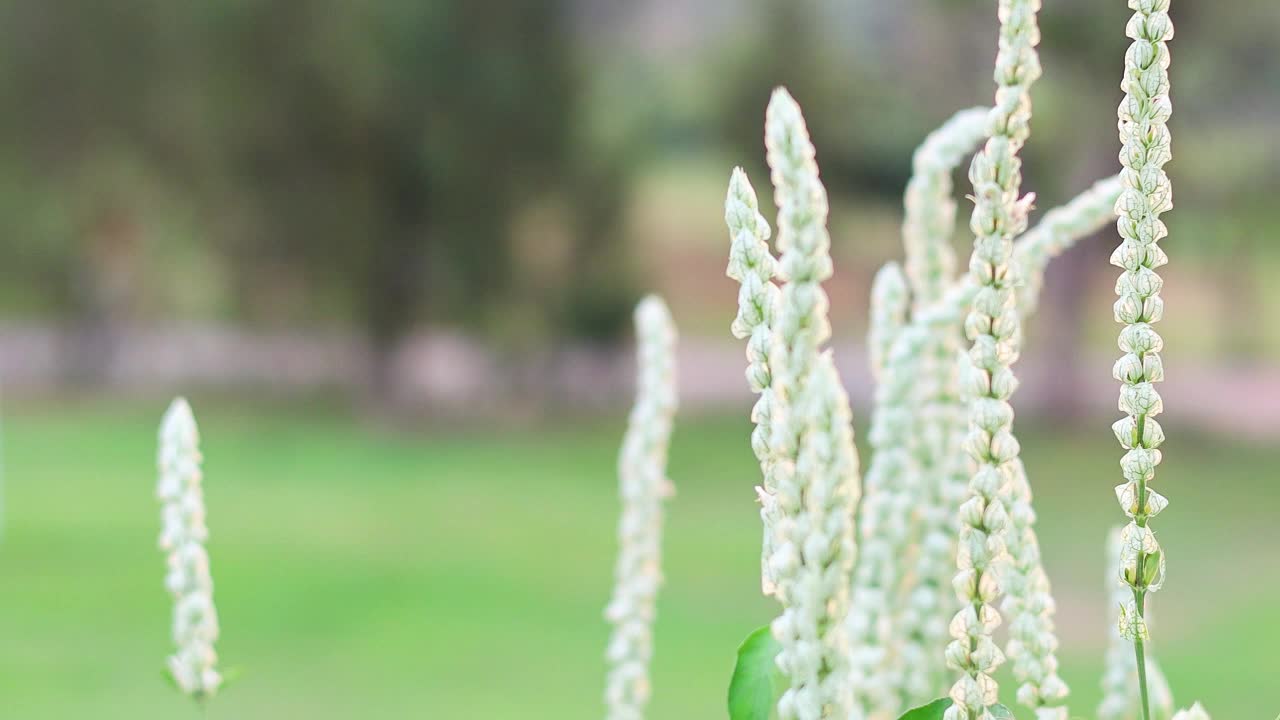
804	427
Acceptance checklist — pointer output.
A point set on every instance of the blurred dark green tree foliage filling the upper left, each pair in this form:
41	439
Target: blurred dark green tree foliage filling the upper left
355	162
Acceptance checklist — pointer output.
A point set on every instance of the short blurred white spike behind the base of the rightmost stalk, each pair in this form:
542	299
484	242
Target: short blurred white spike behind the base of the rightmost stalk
1121	699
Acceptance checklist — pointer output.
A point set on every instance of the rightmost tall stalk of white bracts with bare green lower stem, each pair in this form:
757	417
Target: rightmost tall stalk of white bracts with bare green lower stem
1148	194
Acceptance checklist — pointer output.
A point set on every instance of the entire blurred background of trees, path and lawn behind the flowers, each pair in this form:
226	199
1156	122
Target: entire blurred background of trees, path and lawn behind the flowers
391	250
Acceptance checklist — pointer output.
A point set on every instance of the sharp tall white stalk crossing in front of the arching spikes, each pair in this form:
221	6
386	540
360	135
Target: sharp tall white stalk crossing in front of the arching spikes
999	216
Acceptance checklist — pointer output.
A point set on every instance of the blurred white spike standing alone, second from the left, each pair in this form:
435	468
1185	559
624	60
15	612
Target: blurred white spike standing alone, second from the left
643	486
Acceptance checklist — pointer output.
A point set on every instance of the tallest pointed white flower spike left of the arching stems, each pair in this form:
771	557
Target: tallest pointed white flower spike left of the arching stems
816	473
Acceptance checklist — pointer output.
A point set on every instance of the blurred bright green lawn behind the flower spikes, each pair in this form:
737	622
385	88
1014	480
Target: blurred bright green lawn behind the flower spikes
461	575
